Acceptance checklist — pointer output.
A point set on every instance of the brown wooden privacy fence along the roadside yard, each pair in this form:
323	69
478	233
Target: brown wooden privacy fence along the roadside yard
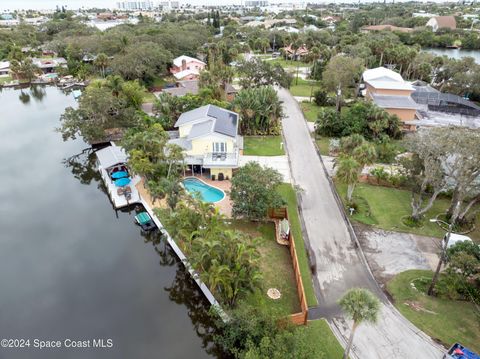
301	317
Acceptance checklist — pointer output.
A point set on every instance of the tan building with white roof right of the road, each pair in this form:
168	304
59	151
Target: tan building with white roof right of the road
388	90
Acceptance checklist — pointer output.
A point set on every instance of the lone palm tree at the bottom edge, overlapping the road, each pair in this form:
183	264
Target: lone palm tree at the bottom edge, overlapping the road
360	305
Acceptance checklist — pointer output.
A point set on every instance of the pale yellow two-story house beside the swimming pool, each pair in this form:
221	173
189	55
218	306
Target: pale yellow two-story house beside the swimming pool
210	140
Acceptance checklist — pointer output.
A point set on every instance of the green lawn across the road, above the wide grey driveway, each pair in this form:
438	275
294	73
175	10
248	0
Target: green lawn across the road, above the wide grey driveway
383	207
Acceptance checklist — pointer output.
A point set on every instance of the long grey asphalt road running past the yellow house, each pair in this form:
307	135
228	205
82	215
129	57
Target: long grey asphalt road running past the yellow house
337	262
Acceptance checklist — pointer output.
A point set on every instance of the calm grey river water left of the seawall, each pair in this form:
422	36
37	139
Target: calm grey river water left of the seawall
70	266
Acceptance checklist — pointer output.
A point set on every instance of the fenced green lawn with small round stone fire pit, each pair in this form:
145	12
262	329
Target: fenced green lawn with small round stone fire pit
277	270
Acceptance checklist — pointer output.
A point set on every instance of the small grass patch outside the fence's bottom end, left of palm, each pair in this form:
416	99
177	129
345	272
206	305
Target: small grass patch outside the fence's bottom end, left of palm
319	334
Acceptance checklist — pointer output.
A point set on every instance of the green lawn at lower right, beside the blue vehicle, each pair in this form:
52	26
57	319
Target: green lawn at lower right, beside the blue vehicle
445	320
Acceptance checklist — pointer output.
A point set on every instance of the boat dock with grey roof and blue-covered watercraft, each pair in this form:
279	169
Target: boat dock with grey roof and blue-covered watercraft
112	164
